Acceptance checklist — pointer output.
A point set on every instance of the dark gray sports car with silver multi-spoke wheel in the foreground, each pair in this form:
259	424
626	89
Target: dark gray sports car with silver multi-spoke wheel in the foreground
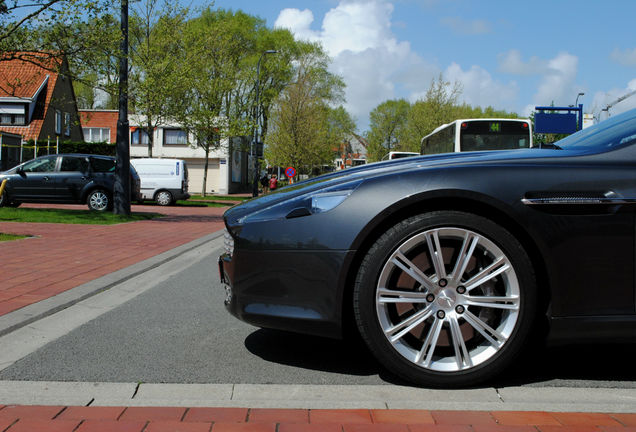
449	265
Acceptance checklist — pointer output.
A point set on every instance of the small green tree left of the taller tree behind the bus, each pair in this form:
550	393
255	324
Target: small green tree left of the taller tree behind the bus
387	122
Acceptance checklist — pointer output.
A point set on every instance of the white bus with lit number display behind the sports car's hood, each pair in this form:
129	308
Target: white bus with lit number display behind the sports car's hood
479	134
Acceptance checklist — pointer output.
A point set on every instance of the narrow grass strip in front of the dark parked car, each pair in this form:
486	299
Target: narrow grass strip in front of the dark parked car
86	217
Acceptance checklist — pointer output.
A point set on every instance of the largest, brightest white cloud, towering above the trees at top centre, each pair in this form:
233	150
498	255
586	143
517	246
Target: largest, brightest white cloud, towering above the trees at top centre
365	52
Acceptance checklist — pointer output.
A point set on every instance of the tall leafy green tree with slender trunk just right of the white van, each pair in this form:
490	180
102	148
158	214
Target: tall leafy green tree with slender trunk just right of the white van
211	54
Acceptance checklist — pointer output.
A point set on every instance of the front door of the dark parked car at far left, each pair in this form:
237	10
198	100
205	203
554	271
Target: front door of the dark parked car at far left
35	180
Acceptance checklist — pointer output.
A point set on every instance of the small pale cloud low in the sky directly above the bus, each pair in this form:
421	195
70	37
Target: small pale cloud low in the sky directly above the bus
480	89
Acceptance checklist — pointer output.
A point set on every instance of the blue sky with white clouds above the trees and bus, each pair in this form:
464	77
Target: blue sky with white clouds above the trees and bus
508	54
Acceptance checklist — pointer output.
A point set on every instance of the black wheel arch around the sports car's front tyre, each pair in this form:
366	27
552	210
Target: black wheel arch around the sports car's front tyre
411	207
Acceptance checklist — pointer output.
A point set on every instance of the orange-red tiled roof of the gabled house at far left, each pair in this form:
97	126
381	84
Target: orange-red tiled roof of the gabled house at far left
21	75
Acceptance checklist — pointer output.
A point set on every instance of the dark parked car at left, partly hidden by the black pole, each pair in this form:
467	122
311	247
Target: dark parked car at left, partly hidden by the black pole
65	178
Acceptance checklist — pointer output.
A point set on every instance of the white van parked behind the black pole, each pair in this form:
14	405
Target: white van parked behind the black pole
162	180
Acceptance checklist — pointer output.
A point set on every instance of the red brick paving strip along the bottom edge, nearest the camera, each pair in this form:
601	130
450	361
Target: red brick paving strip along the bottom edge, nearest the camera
160	419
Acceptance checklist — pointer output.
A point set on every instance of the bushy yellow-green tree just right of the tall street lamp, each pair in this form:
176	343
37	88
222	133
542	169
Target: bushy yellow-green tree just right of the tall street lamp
304	129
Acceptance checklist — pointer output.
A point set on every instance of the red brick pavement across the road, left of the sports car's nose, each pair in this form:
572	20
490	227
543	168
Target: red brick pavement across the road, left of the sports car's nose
63	256
